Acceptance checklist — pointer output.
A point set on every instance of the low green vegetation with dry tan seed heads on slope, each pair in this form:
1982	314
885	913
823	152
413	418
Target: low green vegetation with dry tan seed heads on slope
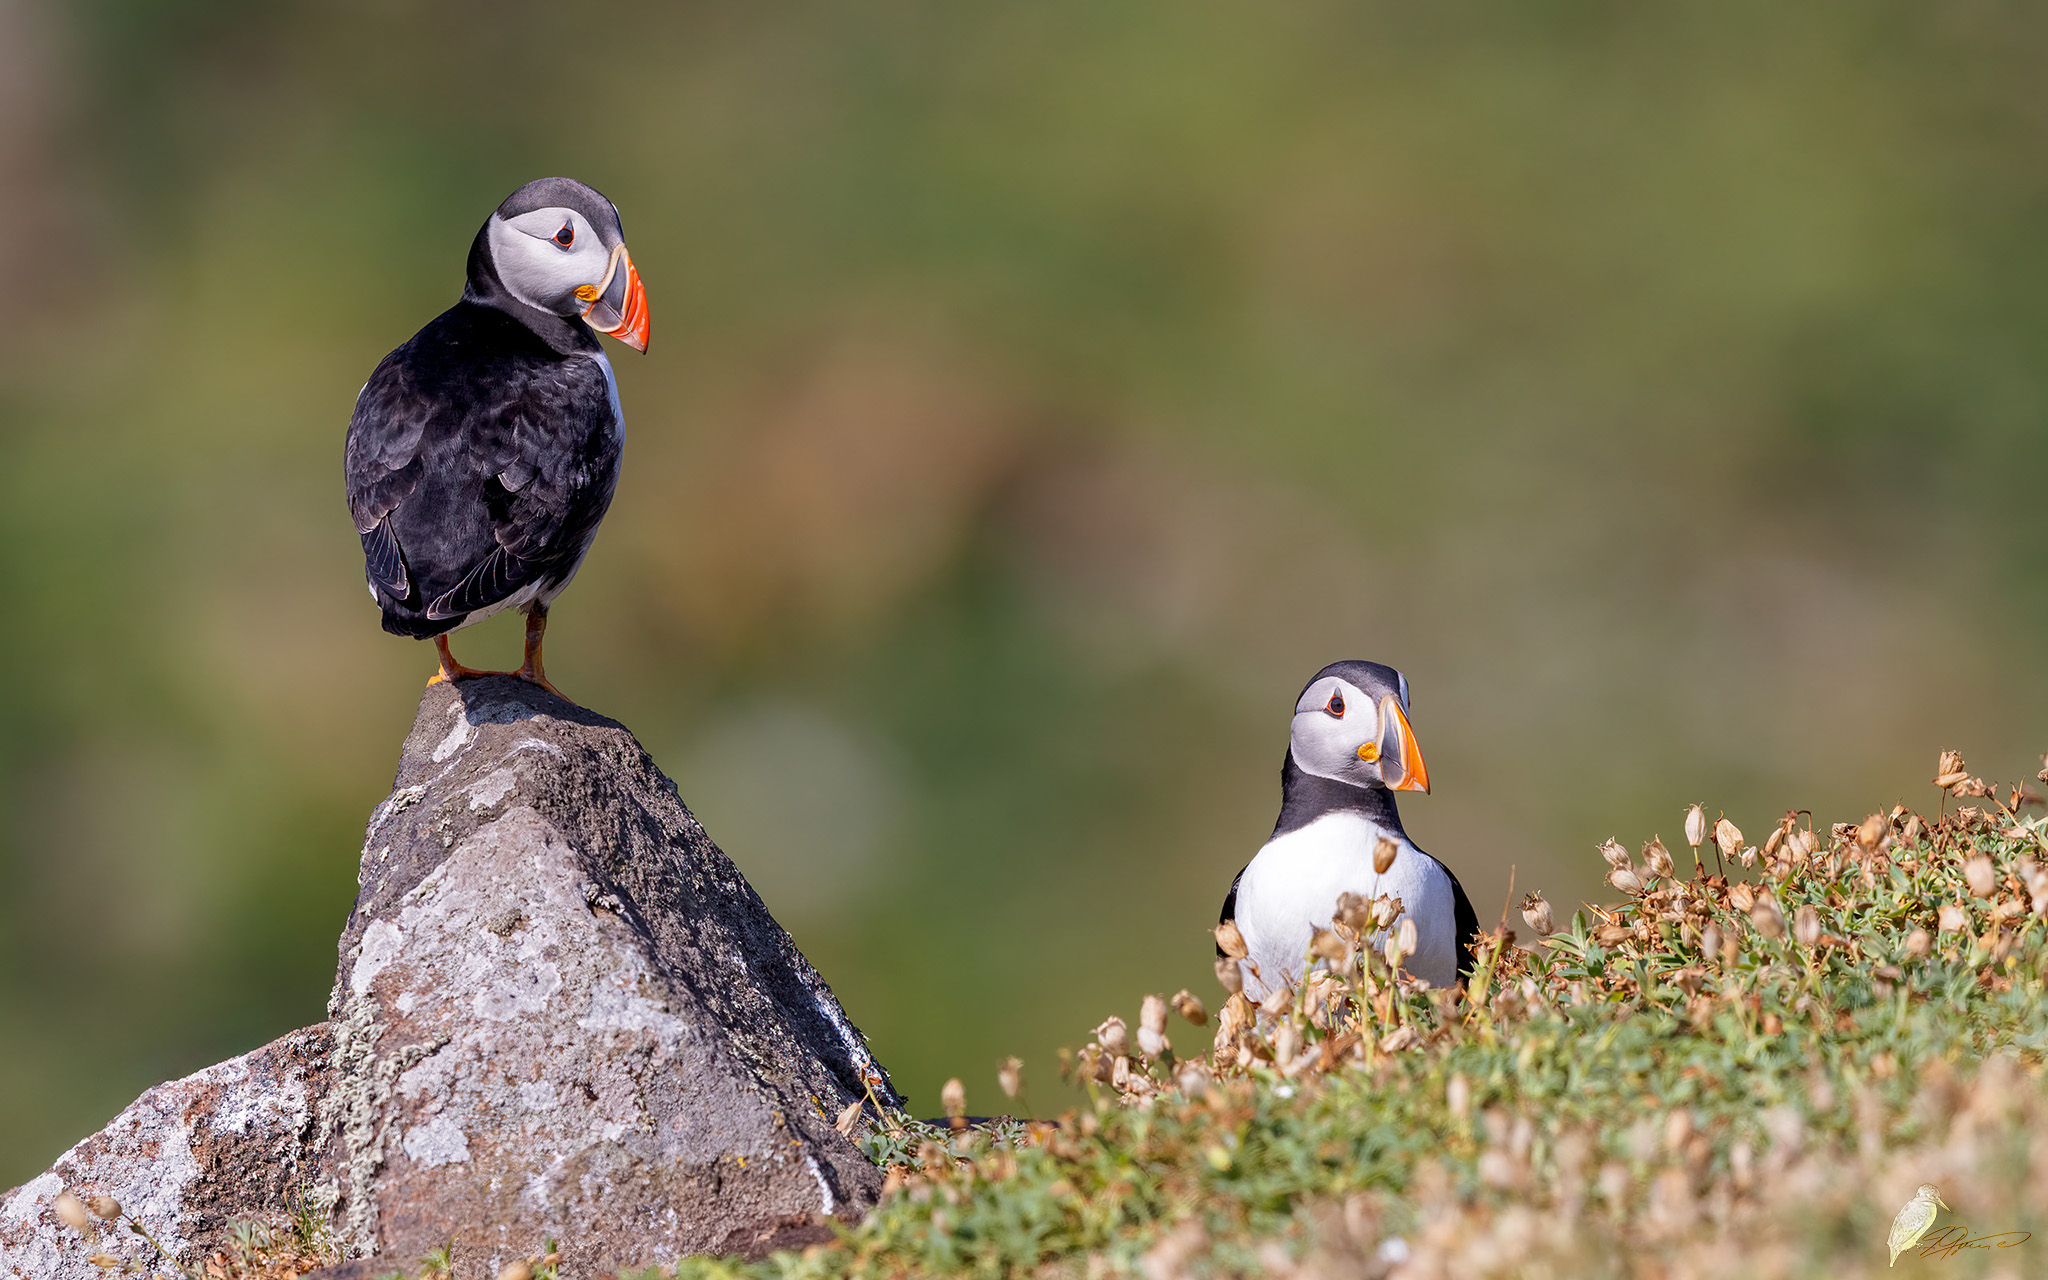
1744	1068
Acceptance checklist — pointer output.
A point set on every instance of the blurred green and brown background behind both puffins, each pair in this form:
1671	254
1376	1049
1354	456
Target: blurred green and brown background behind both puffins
1039	394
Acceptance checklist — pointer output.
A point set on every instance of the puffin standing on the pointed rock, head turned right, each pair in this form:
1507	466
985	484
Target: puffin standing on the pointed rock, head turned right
484	452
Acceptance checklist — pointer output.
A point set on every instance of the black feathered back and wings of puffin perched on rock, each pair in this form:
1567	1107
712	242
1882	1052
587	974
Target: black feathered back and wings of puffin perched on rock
478	462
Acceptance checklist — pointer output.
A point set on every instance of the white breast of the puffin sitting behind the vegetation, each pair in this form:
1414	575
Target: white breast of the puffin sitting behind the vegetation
1293	886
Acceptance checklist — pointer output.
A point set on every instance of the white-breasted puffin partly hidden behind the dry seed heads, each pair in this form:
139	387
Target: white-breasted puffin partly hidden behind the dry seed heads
1351	751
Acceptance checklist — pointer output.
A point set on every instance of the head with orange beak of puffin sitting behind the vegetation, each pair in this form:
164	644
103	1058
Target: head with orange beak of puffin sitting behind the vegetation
1351	726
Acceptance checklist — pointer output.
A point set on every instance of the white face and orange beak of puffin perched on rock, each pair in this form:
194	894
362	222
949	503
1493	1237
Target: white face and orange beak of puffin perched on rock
556	261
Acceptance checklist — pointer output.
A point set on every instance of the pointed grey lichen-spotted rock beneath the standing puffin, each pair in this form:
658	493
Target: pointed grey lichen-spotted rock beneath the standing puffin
560	1013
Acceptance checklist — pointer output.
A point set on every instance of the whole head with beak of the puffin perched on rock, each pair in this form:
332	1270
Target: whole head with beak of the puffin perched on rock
558	247
